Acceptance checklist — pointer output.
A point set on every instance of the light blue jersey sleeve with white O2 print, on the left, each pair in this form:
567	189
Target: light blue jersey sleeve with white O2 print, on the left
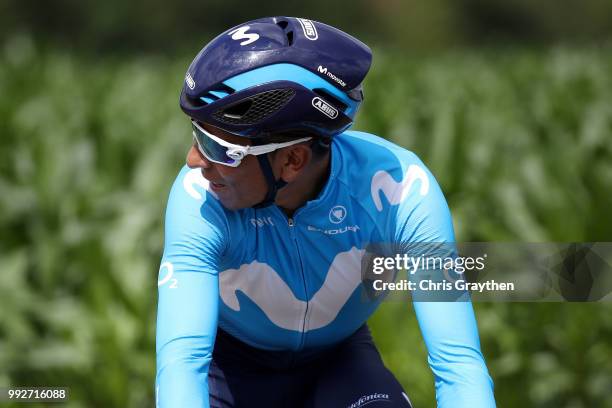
187	309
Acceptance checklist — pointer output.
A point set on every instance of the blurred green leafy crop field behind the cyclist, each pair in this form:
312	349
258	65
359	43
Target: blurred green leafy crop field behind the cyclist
521	142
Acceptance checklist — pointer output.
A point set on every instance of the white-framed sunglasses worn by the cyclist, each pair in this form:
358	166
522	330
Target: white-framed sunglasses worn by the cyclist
219	151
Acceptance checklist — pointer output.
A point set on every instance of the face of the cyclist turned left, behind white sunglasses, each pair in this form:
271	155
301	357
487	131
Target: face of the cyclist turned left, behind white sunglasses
237	187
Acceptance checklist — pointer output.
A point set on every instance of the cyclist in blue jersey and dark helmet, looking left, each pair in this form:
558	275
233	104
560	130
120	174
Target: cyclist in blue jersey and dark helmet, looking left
260	300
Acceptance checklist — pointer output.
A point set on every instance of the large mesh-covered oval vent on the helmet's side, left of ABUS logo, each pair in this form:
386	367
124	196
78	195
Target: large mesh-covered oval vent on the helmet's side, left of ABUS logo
255	108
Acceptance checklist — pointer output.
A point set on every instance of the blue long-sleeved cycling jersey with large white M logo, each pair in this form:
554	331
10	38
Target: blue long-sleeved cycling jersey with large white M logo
281	283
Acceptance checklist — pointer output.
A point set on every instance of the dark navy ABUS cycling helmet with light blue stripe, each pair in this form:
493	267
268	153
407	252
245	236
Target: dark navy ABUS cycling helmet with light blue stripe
277	75
